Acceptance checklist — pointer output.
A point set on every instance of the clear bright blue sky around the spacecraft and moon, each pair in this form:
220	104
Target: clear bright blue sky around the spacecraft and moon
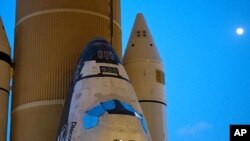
207	64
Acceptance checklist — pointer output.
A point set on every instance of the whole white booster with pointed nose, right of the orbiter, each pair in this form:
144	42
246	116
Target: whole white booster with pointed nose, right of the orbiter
145	70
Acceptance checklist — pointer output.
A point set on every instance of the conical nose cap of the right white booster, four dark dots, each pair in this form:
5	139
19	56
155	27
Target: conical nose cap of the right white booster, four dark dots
141	45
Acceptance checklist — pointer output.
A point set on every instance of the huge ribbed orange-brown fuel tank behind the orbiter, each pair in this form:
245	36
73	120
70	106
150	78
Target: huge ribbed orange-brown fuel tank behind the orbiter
49	37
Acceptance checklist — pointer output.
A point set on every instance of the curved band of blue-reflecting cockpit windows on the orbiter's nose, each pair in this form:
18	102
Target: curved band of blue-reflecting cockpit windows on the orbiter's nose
91	117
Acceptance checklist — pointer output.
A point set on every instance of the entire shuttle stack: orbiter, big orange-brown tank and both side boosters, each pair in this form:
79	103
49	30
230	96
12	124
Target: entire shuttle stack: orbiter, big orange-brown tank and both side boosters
108	99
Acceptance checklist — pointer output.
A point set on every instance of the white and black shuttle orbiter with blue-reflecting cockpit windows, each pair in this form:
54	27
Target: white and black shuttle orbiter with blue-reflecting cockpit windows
102	104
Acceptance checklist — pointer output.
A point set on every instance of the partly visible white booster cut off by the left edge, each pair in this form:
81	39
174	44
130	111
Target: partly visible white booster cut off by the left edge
5	68
